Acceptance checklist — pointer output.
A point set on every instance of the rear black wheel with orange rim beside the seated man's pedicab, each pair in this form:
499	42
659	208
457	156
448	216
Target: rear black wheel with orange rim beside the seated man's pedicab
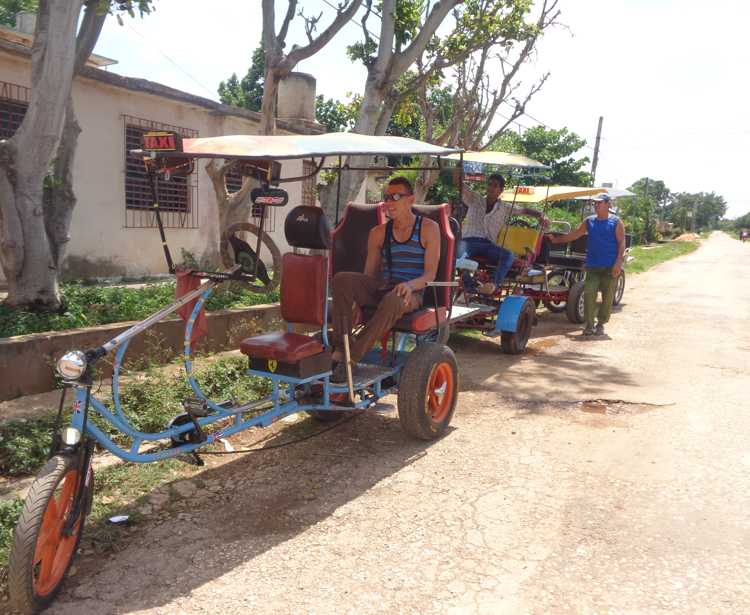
423	411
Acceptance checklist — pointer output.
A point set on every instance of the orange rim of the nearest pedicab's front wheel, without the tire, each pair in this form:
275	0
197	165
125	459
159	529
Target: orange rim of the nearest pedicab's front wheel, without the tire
53	549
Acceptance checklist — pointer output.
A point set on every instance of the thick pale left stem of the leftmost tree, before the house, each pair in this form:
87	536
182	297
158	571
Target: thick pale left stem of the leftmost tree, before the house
28	258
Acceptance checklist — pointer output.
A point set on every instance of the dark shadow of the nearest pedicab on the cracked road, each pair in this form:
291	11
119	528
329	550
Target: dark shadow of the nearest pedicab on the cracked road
266	500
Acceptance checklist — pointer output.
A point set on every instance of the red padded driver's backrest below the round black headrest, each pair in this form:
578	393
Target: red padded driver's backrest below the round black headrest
303	288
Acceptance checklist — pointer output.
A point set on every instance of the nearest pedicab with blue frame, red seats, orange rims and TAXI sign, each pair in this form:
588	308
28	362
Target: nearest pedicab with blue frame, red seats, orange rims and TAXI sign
423	373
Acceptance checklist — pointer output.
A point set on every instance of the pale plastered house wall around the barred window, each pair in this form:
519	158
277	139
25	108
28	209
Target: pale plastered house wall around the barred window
101	244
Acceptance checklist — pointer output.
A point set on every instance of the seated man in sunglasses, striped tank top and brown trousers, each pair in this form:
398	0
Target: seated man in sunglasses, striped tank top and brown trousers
402	258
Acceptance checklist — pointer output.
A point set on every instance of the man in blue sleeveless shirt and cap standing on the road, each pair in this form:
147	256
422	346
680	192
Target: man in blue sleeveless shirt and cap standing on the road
605	250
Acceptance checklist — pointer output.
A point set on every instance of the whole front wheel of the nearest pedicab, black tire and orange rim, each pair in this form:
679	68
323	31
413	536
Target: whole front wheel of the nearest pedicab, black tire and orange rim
30	590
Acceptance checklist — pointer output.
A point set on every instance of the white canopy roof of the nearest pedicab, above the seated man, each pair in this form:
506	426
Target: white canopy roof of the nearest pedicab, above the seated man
280	147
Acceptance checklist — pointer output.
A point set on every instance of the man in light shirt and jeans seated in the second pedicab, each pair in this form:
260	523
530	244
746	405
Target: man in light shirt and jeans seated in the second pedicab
484	218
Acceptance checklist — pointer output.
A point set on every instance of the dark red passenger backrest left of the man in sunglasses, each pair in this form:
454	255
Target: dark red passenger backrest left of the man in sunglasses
349	249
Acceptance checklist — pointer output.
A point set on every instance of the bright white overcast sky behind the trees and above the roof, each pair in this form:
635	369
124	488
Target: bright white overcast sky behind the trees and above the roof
669	77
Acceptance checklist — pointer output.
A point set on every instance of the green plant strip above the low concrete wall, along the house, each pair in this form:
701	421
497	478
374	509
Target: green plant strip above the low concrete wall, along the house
87	306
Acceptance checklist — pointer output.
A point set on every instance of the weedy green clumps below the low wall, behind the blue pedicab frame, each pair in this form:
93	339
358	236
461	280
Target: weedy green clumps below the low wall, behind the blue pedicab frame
149	401
